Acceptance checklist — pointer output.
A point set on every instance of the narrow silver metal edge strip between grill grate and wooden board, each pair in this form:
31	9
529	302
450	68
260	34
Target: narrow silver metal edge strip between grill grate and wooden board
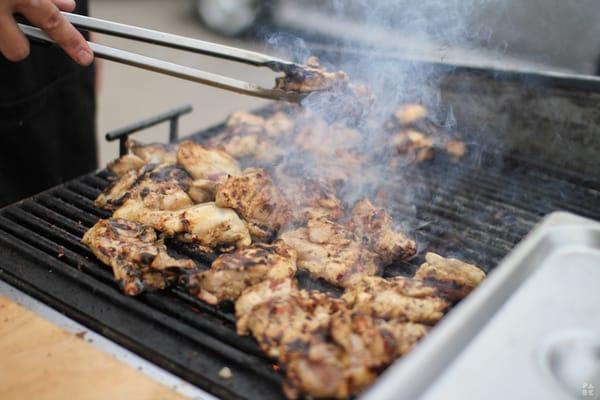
100	342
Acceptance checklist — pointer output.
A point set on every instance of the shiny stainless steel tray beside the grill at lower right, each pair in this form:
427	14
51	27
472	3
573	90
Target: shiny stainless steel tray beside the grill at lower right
529	331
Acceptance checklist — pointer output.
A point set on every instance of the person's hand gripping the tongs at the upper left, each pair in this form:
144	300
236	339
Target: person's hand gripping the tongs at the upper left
46	15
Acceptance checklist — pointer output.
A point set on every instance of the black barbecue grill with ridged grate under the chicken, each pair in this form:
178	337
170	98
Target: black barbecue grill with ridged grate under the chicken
476	211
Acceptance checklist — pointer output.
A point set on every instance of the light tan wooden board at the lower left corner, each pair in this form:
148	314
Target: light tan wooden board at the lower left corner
40	361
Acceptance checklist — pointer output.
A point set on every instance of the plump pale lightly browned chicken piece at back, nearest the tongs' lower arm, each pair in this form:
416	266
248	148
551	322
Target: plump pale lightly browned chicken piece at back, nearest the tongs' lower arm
203	163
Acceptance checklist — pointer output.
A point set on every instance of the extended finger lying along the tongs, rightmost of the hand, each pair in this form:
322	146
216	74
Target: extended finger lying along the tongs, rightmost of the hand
46	15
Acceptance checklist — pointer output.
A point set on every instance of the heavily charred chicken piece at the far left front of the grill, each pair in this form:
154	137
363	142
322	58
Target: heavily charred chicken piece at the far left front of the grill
138	257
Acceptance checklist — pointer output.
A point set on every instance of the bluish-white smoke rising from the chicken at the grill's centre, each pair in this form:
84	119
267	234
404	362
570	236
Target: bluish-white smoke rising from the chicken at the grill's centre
367	162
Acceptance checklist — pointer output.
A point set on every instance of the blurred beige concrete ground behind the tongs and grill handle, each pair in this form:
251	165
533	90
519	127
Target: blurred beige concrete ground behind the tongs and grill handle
127	94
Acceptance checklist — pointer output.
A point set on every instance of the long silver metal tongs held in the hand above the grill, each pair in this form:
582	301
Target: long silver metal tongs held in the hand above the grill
181	43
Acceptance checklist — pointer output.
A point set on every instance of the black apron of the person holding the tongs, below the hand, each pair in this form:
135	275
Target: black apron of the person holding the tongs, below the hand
47	121
